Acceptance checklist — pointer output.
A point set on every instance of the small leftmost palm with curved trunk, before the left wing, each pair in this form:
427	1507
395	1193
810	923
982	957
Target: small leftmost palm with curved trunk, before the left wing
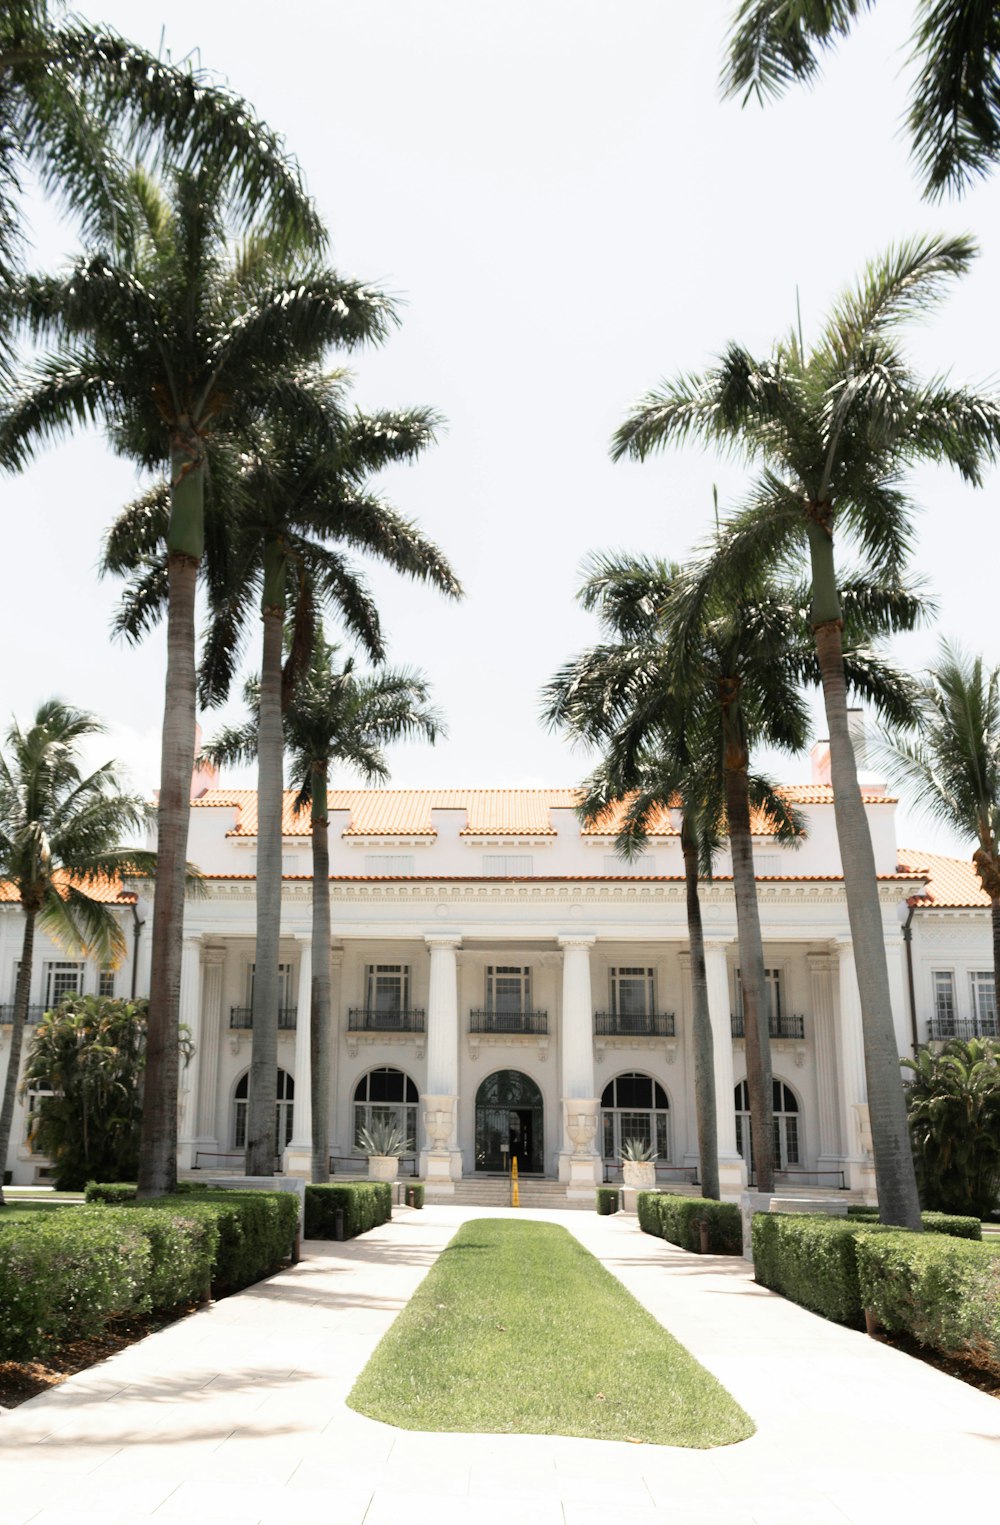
60	833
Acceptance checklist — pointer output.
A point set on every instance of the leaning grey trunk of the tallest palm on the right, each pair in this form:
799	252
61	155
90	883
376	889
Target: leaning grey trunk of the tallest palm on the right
896	1178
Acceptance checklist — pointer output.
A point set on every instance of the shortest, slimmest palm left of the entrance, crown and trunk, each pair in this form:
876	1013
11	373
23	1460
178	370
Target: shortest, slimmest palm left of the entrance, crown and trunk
333	716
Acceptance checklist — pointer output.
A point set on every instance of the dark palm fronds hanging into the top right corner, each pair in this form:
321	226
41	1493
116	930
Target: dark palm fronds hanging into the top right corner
955	111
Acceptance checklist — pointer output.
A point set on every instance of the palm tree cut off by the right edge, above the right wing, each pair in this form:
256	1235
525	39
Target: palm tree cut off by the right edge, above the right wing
954	765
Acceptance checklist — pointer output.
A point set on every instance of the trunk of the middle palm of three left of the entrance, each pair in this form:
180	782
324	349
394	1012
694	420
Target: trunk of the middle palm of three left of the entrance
261	1108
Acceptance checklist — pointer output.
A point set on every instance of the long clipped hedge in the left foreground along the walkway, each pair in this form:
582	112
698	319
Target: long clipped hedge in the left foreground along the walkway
66	1274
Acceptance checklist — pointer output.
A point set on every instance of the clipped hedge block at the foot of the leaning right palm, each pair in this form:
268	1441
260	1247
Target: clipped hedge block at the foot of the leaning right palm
812	1260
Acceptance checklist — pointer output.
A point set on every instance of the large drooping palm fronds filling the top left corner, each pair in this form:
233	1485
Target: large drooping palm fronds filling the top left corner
75	97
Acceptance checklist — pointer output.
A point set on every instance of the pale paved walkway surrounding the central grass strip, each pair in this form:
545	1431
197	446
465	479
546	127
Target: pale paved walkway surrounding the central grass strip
237	1414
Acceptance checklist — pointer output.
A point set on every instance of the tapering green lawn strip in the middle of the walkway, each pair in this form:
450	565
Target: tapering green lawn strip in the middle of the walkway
519	1331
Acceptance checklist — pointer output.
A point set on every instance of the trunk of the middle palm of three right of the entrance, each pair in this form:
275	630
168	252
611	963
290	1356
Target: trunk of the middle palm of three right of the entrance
752	981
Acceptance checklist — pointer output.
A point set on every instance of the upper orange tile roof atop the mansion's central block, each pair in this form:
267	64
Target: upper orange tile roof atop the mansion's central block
490	812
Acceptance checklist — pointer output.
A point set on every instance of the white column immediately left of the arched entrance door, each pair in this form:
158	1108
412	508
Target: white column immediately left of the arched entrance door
441	1161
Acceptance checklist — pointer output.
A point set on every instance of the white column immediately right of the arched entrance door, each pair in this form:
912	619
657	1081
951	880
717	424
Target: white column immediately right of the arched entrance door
580	1163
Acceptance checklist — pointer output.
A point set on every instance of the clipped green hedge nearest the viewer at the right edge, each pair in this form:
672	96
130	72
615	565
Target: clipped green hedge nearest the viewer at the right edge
944	1292
